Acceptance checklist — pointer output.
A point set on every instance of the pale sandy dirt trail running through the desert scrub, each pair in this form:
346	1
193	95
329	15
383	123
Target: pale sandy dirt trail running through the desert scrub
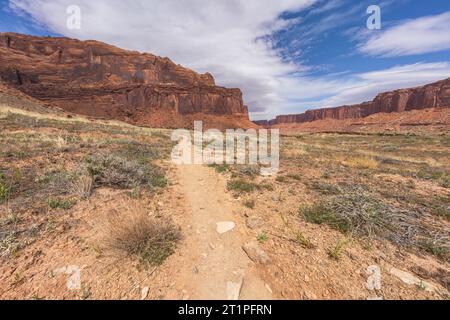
214	264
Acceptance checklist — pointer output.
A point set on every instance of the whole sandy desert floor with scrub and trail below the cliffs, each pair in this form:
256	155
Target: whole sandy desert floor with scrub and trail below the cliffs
104	198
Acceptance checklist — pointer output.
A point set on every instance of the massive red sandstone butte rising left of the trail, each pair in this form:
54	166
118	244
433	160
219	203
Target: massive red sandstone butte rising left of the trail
99	80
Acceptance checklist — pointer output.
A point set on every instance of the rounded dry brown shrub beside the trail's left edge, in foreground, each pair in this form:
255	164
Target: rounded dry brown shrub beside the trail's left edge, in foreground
152	240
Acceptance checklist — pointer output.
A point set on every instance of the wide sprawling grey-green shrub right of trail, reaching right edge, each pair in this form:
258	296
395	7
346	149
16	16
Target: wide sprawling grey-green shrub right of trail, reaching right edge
358	212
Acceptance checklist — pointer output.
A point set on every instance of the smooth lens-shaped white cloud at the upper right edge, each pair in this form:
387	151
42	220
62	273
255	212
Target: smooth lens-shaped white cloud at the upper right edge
418	36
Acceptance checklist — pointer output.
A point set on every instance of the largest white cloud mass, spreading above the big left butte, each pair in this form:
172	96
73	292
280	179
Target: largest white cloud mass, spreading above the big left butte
216	36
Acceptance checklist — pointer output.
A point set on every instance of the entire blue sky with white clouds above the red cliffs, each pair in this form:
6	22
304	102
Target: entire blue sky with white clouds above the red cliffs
287	56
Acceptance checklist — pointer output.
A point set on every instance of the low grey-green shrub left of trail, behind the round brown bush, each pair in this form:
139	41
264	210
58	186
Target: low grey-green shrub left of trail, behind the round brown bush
116	172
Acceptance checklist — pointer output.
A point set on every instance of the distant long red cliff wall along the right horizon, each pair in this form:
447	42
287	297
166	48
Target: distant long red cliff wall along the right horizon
435	95
